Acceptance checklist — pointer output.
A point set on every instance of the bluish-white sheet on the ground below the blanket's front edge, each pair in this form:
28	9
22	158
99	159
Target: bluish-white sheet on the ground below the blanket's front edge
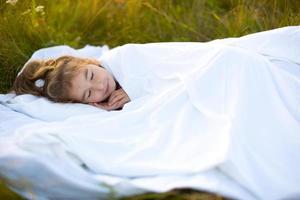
24	172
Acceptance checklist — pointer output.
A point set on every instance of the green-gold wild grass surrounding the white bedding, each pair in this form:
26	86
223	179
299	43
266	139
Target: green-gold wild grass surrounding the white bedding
26	27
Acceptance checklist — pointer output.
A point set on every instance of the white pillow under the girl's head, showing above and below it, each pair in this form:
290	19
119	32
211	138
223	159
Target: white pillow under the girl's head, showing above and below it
44	109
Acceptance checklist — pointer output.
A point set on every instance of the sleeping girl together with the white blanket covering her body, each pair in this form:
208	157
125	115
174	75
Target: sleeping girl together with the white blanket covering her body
187	107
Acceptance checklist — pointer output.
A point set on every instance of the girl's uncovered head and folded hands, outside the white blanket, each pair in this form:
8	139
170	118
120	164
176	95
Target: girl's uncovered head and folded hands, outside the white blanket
71	79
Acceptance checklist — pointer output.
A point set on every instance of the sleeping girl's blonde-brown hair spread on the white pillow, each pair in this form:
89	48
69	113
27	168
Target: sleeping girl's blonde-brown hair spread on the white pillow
56	73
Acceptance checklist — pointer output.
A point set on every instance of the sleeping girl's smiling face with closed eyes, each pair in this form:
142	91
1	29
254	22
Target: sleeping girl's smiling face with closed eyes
92	84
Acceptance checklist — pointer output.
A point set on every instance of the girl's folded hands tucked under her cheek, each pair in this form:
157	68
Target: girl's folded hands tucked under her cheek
116	100
